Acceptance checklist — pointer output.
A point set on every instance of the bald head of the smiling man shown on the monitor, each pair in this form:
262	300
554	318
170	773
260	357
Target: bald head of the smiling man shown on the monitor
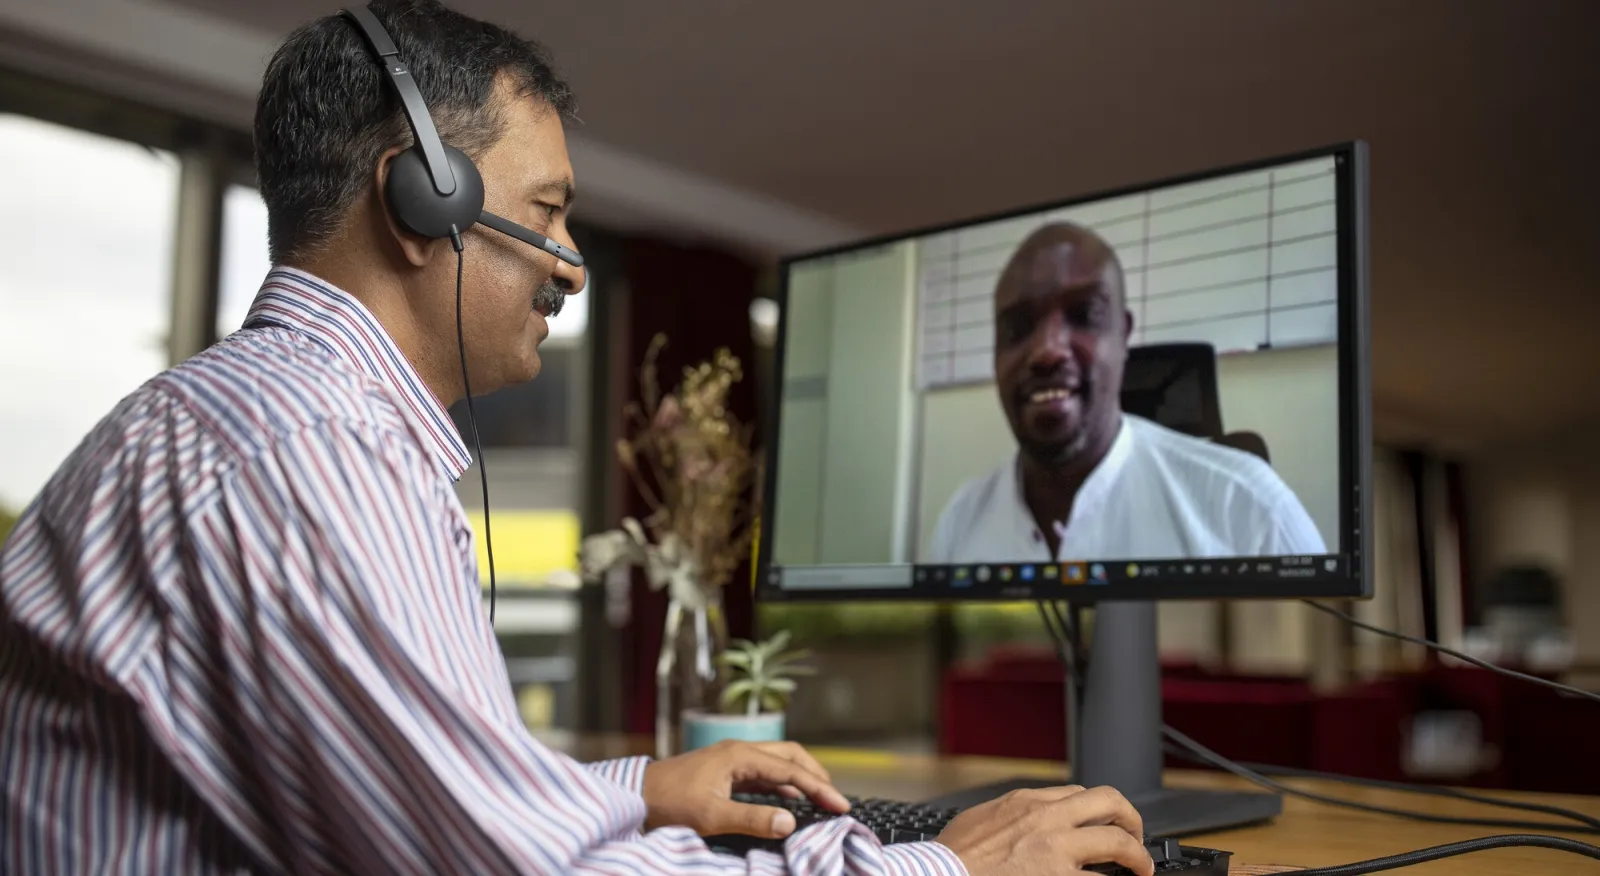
1062	340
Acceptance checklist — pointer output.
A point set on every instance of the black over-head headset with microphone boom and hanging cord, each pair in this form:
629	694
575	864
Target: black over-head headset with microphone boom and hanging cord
438	193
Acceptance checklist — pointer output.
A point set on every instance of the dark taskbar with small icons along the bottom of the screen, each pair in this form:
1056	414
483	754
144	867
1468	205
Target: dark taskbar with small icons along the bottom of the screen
1041	579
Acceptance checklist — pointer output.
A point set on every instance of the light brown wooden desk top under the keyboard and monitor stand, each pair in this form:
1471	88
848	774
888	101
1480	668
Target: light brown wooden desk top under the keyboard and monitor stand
1305	835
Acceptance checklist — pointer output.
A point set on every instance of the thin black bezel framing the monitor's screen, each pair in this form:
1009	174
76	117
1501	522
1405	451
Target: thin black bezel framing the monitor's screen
1356	447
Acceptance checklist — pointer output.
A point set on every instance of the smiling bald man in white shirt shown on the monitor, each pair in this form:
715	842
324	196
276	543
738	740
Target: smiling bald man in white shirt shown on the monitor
1090	482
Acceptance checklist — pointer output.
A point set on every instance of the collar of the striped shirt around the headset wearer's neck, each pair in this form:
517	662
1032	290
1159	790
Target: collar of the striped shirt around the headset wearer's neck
337	321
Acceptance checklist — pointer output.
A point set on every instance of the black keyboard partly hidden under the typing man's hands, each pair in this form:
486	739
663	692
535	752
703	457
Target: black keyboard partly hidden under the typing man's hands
911	822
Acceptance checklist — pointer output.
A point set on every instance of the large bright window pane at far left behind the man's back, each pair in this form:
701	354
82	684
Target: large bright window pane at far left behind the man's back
86	287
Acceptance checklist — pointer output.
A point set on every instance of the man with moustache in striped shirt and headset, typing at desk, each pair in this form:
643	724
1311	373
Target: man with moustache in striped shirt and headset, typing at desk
241	629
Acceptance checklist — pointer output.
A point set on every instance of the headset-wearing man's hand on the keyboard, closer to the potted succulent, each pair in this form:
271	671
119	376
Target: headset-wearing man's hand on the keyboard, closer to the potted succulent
697	789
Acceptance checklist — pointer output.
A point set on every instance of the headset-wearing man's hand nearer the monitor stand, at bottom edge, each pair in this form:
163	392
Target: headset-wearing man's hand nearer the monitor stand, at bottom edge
1052	830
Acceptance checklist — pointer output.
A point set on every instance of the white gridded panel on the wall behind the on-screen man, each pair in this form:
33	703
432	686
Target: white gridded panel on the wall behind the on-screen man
1244	263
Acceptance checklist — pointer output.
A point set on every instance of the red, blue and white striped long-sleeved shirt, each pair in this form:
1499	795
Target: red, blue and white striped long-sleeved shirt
242	632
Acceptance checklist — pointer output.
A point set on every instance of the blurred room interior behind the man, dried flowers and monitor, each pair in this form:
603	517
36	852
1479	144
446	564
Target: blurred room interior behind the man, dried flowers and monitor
719	137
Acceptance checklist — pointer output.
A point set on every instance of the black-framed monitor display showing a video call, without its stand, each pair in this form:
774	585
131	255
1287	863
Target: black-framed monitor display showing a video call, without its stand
1158	392
